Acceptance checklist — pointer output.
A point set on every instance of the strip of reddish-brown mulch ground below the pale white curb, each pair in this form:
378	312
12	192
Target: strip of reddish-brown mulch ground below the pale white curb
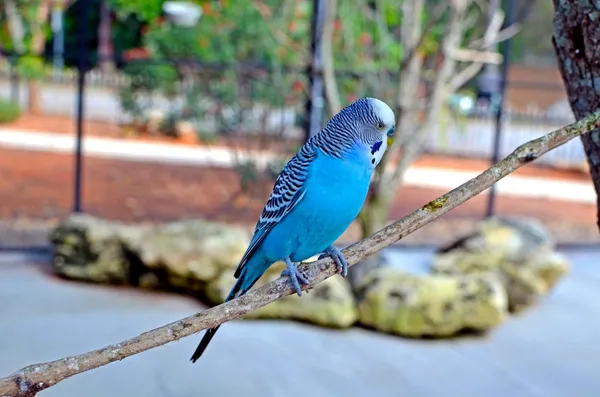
36	184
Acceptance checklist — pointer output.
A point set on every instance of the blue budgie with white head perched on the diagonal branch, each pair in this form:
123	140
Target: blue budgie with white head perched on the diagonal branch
317	195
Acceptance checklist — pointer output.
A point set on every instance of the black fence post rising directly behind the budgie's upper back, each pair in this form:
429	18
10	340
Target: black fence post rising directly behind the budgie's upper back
315	103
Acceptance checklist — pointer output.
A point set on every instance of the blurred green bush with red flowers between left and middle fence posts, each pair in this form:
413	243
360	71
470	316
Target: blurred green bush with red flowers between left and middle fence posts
228	33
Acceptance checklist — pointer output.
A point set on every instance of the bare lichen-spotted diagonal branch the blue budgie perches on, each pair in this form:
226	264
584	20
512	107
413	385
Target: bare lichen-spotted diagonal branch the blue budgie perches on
34	378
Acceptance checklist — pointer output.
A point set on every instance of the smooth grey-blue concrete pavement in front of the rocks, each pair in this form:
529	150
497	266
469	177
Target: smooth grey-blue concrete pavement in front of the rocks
551	350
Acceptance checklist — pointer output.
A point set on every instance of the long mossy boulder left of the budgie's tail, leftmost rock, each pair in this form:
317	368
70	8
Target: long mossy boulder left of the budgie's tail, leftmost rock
180	255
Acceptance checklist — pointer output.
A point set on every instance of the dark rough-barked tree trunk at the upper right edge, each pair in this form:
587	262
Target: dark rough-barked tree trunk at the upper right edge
577	43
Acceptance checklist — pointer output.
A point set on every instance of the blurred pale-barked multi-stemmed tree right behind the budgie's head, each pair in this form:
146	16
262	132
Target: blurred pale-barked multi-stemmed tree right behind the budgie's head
413	54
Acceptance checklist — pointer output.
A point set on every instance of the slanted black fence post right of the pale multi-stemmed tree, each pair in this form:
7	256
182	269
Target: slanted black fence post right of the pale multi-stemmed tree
510	19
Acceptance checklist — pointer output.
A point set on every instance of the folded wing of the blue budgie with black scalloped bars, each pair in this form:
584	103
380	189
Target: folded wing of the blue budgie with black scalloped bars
287	193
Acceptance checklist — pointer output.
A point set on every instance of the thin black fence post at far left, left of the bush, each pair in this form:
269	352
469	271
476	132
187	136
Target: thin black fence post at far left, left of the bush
82	65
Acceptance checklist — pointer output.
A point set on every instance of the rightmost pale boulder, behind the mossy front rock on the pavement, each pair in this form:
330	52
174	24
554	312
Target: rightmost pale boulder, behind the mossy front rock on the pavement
518	252
